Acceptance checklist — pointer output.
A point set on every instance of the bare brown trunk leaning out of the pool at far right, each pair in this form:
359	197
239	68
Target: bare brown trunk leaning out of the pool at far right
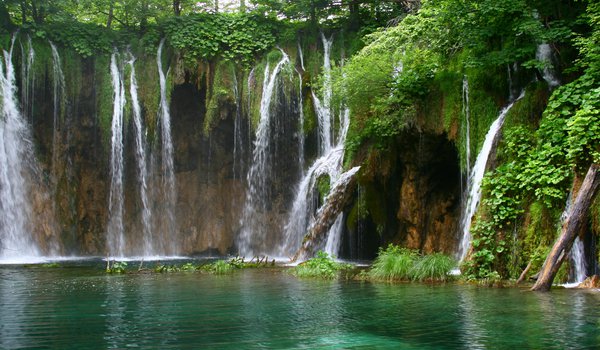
571	228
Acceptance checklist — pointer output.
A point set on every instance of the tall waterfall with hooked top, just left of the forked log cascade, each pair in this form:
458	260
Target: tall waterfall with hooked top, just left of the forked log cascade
253	230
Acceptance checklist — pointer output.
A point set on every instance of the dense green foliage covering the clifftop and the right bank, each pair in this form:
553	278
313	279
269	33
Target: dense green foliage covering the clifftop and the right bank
408	74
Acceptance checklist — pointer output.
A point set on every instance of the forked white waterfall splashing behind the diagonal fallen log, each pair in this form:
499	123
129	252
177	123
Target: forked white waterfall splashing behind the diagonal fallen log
329	163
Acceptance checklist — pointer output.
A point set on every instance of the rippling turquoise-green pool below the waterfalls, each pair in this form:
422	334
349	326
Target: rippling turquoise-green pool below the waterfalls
81	307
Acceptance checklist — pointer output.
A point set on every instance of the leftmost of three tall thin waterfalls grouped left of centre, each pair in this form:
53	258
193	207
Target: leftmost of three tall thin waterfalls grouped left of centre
116	239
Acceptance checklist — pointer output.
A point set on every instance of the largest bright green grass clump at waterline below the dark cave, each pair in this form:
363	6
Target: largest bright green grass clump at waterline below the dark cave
395	263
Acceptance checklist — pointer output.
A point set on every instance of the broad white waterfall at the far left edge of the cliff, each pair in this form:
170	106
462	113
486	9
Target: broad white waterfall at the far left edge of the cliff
16	151
